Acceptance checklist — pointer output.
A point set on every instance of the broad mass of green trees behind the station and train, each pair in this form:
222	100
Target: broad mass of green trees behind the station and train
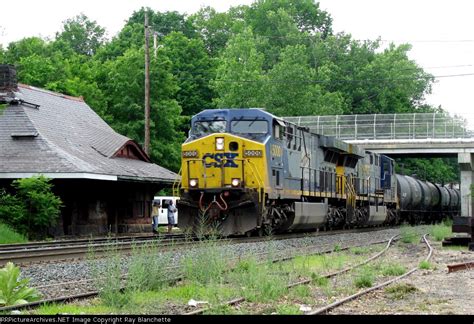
281	55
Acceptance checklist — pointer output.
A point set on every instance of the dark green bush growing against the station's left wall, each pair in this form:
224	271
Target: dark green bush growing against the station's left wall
33	209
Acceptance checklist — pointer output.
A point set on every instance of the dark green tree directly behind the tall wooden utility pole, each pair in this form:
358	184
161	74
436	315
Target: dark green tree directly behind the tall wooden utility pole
125	105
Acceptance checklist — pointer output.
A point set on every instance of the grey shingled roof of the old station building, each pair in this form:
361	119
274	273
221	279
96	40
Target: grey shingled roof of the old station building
43	132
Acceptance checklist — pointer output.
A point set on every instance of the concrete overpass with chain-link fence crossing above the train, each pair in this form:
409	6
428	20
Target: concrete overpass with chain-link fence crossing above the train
420	134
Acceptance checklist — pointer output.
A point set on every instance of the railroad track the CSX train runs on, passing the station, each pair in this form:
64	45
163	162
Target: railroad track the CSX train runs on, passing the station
78	249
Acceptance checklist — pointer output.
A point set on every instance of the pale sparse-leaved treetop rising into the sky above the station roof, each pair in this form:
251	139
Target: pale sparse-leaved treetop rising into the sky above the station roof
82	35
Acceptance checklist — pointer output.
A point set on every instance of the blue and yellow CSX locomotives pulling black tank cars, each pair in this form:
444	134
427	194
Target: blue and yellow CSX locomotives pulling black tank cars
246	171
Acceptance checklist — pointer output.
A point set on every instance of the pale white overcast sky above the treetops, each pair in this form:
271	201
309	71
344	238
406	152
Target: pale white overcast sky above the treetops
441	32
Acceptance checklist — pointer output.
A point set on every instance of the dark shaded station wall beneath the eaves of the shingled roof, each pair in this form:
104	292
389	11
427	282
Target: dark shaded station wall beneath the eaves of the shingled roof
94	207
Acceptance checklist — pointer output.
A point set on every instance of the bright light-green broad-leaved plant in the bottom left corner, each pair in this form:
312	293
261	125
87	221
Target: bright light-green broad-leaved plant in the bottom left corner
13	290
